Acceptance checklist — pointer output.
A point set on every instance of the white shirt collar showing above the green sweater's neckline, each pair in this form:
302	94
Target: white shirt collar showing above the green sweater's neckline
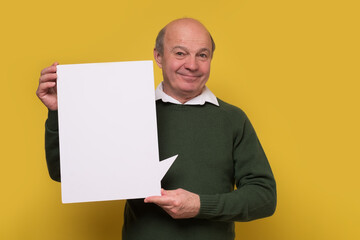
205	96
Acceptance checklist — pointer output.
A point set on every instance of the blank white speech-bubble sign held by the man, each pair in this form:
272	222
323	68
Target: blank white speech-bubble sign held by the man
108	132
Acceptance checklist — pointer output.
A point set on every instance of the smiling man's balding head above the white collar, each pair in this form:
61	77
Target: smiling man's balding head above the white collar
184	49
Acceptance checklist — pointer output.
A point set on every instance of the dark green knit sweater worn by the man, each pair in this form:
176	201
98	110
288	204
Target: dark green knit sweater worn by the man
218	148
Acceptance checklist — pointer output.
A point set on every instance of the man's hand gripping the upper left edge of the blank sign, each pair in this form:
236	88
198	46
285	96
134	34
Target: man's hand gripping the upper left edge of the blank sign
47	91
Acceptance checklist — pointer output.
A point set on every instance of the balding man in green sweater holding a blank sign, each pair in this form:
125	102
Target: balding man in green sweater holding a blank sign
216	143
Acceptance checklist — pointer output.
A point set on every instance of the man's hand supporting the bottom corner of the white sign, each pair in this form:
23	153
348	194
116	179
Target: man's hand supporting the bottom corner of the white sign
177	203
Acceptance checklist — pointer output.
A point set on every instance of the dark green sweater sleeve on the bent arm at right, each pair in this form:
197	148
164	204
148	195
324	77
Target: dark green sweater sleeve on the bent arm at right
255	196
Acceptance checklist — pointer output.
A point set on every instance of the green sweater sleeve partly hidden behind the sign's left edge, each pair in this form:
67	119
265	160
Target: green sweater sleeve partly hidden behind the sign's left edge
52	145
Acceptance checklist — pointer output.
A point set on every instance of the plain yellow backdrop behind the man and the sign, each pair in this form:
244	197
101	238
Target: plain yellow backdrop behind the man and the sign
293	66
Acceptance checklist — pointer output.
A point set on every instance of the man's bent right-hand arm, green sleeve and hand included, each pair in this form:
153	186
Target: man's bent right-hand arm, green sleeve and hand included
255	196
